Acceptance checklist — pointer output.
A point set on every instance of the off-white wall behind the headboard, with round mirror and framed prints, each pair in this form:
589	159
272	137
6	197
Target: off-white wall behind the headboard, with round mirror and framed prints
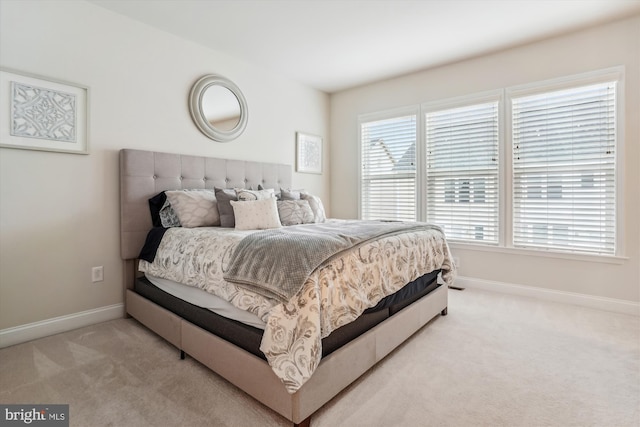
59	213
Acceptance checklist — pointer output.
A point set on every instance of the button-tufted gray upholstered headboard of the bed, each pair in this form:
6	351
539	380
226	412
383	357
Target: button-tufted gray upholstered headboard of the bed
143	174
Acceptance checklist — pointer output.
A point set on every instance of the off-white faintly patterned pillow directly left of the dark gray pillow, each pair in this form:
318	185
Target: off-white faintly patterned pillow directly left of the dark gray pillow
195	208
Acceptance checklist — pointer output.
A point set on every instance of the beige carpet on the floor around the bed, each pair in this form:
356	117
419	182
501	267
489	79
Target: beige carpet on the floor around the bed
495	360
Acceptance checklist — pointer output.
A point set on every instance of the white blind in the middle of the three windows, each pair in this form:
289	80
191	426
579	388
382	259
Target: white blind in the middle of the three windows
462	171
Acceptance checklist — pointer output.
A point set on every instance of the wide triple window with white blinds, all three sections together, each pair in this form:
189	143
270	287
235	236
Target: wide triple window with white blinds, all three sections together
545	181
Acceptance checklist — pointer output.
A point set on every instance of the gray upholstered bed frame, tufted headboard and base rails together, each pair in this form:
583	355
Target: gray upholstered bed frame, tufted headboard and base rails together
143	174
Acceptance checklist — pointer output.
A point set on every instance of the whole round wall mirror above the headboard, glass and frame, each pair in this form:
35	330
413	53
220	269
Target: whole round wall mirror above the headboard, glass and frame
218	108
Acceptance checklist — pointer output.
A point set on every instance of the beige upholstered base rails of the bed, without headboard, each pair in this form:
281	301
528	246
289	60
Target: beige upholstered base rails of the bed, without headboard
256	378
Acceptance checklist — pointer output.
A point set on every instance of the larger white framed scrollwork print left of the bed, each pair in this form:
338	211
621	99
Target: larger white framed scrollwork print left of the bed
37	113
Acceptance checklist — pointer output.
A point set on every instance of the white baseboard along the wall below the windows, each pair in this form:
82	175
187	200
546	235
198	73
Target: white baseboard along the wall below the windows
584	300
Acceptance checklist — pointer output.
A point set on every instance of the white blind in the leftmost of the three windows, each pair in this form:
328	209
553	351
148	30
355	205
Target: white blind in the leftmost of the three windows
388	159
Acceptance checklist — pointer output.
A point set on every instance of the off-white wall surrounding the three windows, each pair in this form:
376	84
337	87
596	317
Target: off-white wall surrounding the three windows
600	47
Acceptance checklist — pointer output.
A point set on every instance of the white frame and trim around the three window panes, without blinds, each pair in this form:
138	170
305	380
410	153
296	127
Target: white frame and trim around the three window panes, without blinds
505	167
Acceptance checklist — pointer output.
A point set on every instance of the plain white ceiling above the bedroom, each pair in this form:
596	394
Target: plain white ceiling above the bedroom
333	45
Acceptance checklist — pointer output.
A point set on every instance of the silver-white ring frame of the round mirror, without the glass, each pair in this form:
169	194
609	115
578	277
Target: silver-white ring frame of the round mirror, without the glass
195	107
